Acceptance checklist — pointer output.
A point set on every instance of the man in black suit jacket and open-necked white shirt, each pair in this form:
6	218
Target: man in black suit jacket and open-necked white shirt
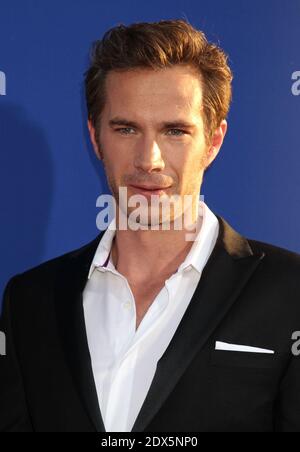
143	329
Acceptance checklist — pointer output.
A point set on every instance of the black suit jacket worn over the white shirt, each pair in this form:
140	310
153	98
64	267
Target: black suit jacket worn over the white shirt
248	294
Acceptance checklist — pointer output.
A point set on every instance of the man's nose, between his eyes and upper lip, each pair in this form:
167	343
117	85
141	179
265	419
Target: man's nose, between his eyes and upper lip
149	156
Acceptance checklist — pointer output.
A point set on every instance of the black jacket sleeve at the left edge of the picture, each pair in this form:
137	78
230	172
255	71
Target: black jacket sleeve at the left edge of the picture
14	416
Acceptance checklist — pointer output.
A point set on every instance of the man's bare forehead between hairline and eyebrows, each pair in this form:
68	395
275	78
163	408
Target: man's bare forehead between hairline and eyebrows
149	91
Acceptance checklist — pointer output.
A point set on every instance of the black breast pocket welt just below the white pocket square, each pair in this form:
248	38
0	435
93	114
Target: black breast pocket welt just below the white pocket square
224	358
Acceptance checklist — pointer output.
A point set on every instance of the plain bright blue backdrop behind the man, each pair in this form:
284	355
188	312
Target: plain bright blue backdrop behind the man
50	178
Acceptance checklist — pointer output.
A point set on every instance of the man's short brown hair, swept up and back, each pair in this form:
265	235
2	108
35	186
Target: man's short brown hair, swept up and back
160	45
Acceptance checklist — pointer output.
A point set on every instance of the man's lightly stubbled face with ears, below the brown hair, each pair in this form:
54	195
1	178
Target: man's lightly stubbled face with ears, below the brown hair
152	132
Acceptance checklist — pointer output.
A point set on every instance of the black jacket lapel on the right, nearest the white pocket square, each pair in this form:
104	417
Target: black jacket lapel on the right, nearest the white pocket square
226	273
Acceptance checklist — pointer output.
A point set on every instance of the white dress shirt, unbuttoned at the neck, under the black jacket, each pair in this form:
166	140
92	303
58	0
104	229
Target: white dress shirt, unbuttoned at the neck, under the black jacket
124	359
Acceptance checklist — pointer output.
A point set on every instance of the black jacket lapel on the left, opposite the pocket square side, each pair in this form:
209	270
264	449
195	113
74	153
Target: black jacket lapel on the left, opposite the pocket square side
69	285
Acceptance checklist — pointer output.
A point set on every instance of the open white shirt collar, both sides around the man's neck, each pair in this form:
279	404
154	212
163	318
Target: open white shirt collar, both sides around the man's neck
204	242
